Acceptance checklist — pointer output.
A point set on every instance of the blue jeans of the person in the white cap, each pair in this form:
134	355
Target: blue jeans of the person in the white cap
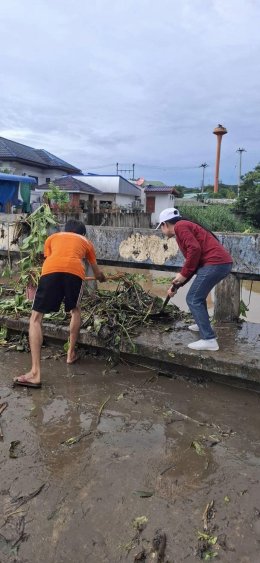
206	278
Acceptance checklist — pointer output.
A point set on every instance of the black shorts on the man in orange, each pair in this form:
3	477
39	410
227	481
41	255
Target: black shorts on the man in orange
55	288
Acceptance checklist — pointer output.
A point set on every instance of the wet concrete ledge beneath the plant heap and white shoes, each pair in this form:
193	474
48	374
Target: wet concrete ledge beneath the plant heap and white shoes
238	357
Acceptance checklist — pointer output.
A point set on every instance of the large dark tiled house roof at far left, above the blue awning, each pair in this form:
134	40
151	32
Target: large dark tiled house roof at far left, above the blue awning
11	150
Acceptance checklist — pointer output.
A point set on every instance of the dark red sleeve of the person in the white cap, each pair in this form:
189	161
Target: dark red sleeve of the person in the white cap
190	248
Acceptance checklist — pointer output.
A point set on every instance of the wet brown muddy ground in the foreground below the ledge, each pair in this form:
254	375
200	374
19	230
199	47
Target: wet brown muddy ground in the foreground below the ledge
100	446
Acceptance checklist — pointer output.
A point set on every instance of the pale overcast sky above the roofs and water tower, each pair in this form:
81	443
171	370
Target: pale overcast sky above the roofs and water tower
133	81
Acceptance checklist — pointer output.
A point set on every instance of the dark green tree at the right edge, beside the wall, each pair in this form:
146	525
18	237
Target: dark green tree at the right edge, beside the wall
248	203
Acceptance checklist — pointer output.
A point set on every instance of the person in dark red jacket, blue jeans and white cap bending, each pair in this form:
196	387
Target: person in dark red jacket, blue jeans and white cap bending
208	259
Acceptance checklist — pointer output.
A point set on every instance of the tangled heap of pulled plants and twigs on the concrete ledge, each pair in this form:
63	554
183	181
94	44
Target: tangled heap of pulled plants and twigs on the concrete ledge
109	315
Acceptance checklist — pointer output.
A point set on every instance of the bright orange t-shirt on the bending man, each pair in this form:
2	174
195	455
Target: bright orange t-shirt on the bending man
65	252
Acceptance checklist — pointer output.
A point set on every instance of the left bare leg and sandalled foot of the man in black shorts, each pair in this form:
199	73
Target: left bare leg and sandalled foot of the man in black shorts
35	338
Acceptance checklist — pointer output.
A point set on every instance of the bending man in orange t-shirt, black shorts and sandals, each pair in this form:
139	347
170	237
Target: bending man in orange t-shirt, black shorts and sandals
62	278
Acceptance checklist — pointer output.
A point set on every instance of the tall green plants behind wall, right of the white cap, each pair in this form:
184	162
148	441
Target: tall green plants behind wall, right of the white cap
217	217
